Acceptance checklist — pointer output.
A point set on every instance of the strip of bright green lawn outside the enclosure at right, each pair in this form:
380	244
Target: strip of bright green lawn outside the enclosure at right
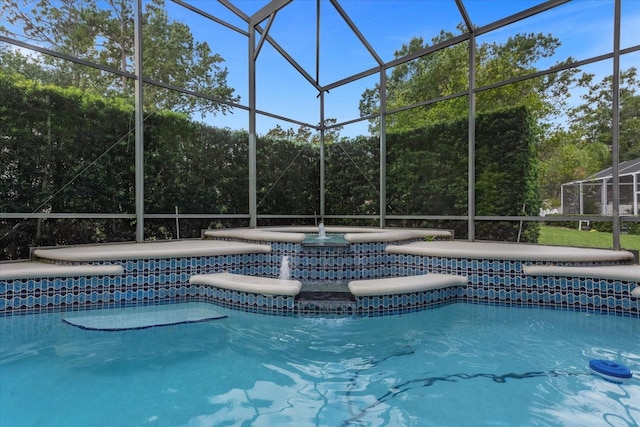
587	239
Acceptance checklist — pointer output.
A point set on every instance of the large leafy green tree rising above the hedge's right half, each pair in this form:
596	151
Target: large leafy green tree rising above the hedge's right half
445	72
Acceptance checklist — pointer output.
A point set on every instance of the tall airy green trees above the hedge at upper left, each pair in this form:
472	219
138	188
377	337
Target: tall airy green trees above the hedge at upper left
102	32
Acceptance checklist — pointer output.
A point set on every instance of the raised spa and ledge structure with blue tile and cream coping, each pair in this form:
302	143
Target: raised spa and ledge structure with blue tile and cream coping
366	271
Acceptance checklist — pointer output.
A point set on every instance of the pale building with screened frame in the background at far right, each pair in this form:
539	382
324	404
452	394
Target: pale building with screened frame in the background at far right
594	195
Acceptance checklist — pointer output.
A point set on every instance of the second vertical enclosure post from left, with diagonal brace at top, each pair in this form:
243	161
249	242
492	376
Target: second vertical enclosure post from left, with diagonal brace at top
253	204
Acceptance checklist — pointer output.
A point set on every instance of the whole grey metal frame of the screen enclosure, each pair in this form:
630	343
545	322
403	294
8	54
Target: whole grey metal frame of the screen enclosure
257	36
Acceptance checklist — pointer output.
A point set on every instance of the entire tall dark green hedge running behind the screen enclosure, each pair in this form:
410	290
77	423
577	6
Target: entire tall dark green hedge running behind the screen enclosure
64	150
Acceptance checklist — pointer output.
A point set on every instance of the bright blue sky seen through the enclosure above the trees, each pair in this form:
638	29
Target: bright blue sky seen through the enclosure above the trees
584	27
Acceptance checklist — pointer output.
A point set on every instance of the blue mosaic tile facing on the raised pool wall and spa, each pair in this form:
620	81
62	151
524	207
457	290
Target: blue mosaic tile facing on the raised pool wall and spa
151	281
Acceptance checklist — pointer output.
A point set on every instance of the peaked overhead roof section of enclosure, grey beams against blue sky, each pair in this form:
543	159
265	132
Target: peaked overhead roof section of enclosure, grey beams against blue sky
355	27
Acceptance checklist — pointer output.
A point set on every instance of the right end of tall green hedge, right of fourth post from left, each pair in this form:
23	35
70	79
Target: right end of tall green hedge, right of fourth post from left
427	172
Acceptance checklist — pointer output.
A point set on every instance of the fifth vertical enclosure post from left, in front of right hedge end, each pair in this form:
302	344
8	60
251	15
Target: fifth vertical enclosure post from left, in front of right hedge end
471	183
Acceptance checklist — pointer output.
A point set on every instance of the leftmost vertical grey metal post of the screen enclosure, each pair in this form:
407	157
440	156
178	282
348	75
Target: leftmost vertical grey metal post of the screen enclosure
139	124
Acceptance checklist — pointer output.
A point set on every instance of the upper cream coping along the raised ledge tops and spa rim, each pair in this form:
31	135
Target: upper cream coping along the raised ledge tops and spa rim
217	242
